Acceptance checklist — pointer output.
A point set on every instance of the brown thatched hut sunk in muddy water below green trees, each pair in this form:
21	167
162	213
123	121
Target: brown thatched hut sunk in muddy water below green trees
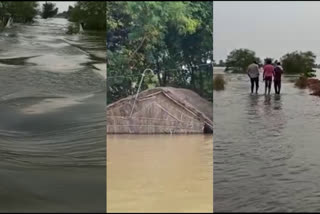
162	110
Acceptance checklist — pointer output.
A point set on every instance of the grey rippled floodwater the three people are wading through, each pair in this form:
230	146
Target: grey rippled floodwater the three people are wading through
266	149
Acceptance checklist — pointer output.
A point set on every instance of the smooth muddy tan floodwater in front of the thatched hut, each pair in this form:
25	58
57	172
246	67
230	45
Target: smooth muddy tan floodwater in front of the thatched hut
159	173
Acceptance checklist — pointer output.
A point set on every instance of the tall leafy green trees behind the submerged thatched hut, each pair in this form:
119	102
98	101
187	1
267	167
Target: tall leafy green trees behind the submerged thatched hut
171	38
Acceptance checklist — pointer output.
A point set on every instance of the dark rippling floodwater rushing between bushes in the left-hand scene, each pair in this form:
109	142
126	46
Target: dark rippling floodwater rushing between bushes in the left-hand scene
52	119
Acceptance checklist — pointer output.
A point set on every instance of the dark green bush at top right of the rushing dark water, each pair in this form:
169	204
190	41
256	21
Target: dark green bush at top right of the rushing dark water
91	13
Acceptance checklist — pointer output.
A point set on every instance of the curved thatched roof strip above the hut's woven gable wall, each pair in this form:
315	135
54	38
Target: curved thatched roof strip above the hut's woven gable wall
185	98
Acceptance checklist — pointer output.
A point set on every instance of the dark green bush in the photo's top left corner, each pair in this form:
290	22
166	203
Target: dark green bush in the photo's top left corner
20	11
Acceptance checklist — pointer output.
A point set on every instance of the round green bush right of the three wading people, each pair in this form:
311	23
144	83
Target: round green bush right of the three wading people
299	63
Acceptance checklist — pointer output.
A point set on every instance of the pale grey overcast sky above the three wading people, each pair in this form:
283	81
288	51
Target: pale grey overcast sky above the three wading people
271	29
